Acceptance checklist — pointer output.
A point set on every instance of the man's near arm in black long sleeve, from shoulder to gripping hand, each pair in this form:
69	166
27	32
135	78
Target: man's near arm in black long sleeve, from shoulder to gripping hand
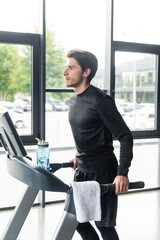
113	120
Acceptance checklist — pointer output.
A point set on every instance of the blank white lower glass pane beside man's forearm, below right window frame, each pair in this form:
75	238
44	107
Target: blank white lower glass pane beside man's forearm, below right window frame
145	151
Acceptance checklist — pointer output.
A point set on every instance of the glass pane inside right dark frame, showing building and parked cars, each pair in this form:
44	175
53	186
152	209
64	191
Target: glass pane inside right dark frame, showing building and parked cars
136	89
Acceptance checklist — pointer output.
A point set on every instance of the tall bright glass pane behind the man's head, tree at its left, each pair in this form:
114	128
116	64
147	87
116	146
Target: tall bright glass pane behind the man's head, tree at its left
67	29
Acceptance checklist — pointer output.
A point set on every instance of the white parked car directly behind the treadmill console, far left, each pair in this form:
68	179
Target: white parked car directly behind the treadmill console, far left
17	118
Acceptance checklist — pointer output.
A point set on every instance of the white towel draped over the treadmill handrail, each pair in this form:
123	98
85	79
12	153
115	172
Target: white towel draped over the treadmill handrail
86	197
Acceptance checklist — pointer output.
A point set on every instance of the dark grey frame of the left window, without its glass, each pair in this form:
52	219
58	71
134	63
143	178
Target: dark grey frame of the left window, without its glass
34	41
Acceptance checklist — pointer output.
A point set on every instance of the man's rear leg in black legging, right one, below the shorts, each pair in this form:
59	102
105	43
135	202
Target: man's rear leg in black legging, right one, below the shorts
108	233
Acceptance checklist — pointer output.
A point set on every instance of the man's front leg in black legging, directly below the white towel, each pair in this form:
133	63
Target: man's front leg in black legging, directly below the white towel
87	231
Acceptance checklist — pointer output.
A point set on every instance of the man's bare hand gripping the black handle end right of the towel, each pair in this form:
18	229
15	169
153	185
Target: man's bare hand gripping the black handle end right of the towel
122	184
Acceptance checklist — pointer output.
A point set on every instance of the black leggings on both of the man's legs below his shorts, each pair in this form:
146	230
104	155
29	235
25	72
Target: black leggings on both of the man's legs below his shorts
87	232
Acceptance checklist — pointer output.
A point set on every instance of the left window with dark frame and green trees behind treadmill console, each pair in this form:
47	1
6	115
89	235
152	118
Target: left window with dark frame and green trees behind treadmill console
19	79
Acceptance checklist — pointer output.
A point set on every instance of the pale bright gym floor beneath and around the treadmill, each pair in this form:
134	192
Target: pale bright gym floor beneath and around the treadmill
138	219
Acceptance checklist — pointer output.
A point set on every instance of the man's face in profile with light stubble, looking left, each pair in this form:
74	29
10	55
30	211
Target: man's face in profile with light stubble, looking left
73	73
